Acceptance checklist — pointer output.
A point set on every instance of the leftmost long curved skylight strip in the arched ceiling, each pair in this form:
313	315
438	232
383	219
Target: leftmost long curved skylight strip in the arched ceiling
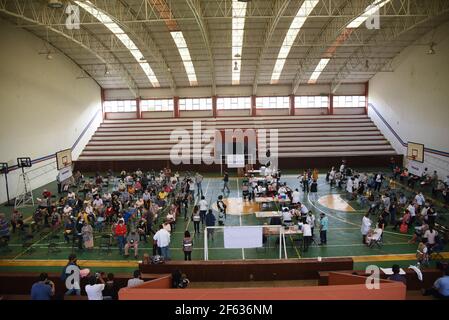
122	36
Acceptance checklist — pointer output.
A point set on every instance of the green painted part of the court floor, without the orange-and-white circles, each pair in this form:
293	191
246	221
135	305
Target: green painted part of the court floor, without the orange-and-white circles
344	237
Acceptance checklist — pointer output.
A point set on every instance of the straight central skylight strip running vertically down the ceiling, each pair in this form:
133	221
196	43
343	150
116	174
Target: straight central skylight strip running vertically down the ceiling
238	29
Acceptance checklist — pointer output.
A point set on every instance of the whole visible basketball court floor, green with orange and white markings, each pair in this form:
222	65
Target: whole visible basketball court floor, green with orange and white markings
344	237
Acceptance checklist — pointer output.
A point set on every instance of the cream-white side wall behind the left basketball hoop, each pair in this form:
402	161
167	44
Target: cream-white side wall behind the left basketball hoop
43	107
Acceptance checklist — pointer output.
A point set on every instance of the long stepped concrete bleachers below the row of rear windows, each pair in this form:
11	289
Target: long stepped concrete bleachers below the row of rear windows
298	136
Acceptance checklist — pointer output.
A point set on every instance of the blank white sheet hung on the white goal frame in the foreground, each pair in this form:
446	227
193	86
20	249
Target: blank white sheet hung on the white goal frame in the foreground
242	237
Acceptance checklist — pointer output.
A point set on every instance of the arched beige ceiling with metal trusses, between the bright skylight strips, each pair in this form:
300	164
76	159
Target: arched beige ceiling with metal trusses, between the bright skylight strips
207	29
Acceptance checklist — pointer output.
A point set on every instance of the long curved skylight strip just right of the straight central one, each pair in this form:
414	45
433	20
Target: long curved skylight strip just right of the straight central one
296	25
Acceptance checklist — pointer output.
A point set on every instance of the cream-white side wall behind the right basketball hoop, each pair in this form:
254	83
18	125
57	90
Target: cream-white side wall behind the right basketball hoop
414	99
